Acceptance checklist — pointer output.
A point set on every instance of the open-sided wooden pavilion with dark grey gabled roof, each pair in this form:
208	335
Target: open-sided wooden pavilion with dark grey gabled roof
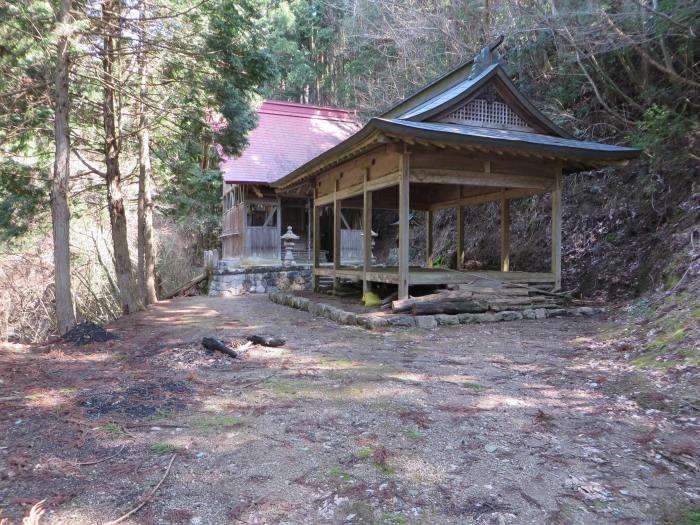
470	137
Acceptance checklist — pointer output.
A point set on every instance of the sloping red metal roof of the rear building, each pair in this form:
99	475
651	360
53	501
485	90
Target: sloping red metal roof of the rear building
287	136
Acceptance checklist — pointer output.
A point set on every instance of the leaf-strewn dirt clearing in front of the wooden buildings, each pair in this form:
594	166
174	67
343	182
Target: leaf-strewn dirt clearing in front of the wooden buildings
509	423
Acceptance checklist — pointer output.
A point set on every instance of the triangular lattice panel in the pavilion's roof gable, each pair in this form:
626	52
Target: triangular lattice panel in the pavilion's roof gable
487	110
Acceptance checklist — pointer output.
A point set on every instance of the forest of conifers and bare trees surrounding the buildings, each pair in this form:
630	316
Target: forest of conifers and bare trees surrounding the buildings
142	75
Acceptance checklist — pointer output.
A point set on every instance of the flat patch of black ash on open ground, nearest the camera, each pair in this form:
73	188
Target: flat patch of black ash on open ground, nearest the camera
137	401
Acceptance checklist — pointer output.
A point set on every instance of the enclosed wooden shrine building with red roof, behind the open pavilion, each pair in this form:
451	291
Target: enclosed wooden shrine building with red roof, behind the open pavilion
255	216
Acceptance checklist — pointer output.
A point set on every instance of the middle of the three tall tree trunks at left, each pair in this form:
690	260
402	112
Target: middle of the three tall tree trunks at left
115	198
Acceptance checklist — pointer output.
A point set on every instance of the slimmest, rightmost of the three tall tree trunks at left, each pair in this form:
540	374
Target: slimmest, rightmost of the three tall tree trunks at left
146	249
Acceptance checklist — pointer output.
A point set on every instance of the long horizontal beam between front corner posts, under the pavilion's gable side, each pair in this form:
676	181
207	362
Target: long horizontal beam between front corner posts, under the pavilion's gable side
480	178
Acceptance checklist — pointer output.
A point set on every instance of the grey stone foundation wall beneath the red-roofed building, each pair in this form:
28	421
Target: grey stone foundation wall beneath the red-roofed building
230	281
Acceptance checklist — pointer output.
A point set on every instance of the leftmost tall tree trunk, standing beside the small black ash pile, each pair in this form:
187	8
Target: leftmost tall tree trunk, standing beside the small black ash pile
60	214
